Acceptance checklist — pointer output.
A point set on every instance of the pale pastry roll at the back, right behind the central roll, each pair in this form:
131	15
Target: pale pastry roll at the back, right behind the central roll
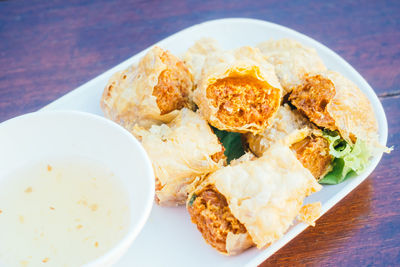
291	60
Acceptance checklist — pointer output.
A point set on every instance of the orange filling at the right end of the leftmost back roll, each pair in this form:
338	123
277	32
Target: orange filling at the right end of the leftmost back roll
174	85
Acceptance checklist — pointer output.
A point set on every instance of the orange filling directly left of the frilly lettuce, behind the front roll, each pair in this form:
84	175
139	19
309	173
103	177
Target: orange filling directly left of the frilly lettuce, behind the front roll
313	153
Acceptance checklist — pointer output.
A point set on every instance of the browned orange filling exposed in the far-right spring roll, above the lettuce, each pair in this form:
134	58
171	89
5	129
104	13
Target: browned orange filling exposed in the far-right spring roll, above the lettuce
312	98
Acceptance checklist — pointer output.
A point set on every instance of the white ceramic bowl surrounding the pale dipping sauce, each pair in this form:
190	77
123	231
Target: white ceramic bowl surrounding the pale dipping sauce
45	135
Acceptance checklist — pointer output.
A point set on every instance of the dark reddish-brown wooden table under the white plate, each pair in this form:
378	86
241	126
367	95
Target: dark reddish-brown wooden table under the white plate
48	49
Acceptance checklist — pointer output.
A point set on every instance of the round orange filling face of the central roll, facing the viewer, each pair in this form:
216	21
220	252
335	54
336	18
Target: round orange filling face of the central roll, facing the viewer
243	100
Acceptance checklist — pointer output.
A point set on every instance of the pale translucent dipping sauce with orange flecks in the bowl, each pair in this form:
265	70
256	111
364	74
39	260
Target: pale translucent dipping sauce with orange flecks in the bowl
60	213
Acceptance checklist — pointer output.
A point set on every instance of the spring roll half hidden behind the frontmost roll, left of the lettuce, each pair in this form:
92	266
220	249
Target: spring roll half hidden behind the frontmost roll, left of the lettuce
312	150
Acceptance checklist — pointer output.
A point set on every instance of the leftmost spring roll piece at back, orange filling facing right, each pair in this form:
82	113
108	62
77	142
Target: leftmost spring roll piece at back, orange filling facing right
149	92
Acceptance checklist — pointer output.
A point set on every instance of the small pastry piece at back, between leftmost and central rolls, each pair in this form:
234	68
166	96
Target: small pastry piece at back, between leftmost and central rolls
195	56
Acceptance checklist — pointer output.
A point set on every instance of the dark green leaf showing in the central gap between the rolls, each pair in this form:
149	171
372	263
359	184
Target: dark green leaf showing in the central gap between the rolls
232	143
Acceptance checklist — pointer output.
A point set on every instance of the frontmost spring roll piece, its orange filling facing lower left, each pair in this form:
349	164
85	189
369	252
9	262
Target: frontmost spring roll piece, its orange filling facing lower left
253	202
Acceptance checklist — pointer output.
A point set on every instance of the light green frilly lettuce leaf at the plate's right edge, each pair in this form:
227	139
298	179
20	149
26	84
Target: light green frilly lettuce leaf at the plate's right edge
348	159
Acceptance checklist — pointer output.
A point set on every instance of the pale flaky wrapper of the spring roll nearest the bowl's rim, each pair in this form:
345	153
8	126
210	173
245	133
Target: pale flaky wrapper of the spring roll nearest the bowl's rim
181	153
